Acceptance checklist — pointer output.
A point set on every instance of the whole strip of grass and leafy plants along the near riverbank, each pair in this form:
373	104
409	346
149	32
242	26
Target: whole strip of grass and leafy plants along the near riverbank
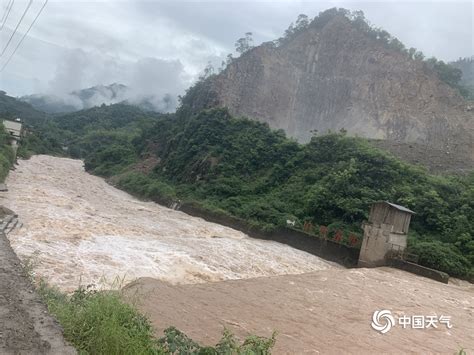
100	322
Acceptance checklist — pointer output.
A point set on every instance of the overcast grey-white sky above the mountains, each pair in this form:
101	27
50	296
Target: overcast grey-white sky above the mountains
161	46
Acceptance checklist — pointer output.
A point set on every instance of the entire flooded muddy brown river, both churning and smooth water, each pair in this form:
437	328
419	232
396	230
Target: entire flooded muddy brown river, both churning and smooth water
77	229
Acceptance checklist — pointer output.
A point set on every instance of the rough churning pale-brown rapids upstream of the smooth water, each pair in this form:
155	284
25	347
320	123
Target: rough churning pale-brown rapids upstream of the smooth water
79	230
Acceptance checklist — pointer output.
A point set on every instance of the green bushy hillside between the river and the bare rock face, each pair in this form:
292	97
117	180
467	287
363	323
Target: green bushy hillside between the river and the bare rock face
240	167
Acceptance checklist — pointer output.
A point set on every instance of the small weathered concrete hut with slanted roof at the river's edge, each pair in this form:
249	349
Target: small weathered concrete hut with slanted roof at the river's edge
385	233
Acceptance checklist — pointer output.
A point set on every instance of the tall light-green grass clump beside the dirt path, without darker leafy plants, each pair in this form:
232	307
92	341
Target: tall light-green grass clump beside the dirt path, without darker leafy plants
100	322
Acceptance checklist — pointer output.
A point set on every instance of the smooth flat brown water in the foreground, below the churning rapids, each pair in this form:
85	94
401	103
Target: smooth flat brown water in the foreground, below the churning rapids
323	312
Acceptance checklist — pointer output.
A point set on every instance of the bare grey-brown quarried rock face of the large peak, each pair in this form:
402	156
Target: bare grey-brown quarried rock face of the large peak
339	78
